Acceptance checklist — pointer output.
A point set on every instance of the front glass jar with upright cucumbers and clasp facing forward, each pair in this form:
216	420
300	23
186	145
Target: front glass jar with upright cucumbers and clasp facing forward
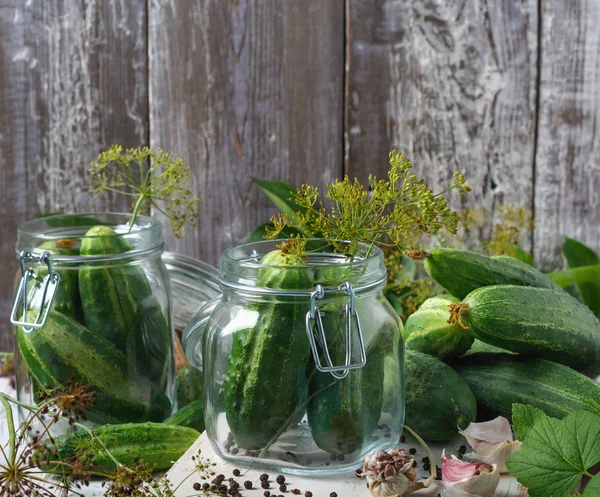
303	365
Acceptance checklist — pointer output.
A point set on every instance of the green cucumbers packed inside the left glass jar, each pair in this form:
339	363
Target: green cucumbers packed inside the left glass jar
106	330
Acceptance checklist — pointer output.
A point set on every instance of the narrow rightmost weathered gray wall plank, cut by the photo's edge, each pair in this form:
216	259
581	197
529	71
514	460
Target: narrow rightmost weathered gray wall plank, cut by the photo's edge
567	179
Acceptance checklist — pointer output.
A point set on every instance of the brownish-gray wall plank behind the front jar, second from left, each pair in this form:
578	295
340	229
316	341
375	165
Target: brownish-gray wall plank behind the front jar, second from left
241	89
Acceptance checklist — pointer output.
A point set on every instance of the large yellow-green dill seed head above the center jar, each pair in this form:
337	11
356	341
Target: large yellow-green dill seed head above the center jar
392	212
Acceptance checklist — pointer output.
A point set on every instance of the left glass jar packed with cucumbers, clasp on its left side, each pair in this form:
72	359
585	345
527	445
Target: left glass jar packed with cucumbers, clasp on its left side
93	307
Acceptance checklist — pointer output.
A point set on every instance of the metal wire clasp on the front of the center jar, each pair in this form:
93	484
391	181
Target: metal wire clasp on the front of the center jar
314	314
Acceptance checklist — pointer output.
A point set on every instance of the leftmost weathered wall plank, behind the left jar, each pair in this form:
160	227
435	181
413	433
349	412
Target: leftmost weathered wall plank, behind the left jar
73	79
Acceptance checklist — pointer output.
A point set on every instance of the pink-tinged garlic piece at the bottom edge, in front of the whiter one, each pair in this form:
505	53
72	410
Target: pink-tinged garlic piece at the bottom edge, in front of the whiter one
468	479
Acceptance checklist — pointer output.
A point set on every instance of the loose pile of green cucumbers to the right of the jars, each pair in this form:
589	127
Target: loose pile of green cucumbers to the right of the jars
505	334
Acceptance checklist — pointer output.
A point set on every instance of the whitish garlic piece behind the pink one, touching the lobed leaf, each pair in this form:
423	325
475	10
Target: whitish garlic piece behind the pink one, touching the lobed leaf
492	442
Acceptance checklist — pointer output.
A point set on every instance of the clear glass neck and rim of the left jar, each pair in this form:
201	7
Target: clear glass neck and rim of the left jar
63	235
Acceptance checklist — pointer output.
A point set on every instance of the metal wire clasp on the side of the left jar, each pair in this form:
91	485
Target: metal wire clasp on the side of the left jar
49	285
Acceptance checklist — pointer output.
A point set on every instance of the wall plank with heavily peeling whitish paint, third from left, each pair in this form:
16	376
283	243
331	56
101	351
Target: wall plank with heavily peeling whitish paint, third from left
451	84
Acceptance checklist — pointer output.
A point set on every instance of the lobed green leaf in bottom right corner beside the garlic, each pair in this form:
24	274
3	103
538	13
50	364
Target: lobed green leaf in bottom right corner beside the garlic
556	453
